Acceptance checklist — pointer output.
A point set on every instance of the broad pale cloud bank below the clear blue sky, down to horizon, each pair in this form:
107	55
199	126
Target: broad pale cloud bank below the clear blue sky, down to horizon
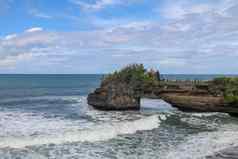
202	38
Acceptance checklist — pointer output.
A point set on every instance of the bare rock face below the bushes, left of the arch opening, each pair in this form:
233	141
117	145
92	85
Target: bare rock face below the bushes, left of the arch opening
115	96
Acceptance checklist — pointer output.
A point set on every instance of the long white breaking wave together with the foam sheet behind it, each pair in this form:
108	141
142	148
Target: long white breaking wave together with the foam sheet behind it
60	132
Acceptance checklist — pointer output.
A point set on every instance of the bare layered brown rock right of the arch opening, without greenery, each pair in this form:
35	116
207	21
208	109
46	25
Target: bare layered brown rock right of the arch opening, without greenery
197	98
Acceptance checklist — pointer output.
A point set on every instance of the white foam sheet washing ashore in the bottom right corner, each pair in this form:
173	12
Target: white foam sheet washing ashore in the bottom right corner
205	144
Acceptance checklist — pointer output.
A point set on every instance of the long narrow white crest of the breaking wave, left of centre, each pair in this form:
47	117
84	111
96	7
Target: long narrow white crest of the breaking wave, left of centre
69	133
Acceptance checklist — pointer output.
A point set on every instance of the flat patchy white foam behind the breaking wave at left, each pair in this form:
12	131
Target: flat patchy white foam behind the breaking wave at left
30	124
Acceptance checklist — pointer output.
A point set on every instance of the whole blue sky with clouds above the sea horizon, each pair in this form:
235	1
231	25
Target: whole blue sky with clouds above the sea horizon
99	36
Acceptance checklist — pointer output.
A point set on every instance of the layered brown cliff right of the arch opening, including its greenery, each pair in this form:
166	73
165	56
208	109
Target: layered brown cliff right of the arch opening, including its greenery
208	96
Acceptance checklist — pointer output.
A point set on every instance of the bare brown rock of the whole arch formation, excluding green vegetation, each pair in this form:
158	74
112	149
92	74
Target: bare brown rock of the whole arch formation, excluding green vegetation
121	96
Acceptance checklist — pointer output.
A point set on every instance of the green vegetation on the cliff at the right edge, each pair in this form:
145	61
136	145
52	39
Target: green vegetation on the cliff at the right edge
229	87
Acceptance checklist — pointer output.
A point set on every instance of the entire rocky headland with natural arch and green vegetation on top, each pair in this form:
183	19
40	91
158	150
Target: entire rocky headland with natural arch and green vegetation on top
122	91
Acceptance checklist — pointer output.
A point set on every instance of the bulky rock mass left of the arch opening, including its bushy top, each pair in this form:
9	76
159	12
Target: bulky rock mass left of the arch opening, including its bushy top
122	90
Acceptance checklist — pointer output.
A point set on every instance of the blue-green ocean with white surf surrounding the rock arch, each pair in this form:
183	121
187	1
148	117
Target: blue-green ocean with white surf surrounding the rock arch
47	117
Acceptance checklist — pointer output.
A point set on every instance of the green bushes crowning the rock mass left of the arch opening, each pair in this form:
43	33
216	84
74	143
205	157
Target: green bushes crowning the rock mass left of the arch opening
135	75
